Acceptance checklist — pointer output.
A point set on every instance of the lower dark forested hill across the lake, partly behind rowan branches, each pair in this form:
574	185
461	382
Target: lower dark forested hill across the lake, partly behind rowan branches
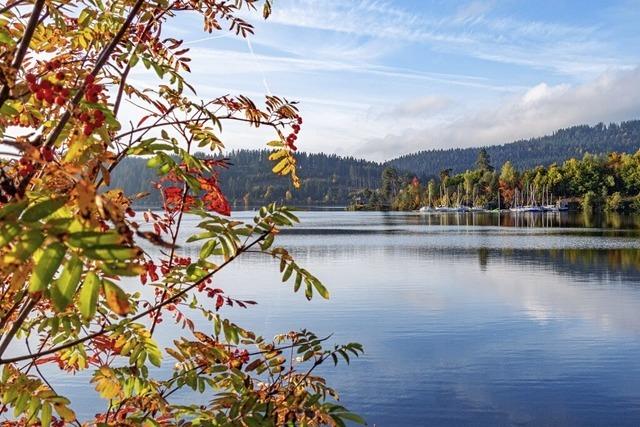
326	179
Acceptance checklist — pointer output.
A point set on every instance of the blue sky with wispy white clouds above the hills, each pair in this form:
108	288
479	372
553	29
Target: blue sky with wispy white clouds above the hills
381	78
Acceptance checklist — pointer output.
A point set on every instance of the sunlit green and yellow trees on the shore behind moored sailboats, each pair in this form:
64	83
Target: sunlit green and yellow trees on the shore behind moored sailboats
609	182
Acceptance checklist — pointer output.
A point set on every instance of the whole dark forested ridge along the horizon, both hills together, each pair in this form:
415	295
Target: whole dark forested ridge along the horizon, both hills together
328	179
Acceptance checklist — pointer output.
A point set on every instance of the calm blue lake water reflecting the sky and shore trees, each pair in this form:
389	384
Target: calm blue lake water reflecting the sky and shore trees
466	319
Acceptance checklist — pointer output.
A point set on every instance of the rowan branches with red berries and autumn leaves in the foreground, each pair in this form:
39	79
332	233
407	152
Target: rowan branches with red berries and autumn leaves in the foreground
69	243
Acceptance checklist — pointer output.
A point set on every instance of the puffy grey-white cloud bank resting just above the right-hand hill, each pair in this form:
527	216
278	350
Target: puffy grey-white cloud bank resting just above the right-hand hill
613	96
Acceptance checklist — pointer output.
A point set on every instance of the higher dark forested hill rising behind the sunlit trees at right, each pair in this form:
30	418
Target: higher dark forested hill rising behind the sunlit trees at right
564	144
